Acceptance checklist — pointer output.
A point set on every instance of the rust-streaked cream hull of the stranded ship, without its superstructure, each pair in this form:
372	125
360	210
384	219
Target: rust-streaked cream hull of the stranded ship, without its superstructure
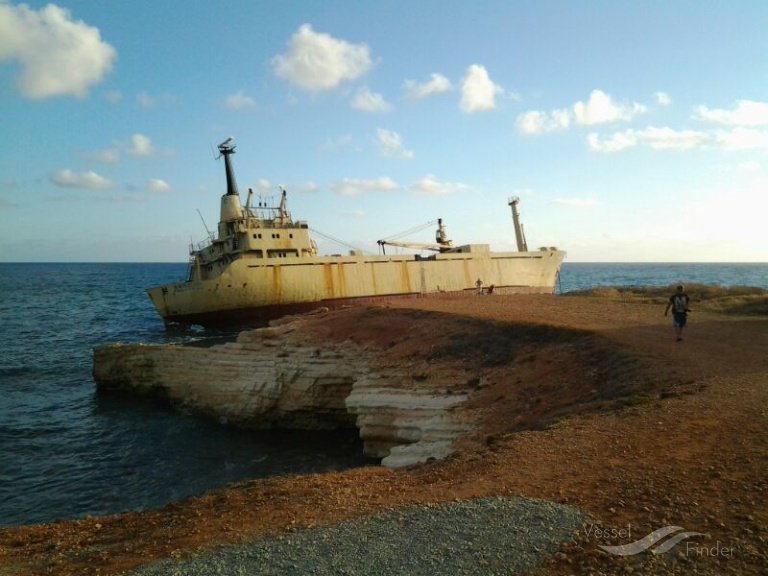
252	290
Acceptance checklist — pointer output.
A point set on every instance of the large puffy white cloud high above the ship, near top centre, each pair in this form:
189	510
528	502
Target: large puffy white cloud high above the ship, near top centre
317	61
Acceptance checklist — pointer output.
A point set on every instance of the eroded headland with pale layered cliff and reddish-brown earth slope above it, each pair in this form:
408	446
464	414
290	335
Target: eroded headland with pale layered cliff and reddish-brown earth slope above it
414	382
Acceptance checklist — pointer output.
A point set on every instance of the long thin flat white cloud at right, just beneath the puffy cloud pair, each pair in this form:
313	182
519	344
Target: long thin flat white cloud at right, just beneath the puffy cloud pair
652	137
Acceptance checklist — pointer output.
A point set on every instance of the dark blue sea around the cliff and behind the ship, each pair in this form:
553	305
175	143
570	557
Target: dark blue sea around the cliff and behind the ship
68	451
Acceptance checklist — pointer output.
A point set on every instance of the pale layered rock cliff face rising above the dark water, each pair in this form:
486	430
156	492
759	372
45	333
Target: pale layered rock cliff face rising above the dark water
283	377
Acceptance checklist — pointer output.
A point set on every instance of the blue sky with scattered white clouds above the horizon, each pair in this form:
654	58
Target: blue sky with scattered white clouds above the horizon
631	131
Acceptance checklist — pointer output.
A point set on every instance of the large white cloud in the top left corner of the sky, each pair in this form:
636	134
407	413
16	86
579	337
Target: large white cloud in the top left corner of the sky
58	56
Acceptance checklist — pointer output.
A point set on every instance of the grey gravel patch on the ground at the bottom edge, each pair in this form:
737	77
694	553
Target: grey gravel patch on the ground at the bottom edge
487	535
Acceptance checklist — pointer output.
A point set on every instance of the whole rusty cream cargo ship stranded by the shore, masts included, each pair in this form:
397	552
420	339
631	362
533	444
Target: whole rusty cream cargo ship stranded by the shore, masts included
262	264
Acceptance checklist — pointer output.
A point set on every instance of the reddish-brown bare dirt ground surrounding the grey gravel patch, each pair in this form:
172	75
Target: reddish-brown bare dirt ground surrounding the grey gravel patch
648	433
